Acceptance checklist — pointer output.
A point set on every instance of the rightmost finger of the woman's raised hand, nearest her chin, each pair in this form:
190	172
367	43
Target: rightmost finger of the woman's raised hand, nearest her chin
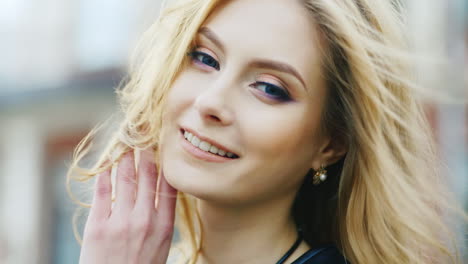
166	201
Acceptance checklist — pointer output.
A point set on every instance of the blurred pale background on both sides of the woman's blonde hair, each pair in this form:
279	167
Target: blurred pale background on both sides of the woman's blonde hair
60	61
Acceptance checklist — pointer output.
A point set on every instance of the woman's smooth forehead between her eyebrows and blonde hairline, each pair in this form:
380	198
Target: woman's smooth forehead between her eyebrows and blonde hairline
281	30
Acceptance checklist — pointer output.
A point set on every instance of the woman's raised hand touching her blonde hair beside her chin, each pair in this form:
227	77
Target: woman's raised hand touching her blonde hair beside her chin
133	230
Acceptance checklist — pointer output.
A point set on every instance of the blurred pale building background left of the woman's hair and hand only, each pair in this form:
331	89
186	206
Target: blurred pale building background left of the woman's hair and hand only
61	61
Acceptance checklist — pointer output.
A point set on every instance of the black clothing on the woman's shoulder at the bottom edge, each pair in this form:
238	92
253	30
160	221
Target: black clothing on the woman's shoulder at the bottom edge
327	254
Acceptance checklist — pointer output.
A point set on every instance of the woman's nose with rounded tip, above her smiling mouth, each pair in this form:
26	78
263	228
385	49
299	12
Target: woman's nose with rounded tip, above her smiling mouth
213	104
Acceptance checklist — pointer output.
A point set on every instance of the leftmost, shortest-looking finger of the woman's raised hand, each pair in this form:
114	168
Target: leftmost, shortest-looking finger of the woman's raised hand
102	199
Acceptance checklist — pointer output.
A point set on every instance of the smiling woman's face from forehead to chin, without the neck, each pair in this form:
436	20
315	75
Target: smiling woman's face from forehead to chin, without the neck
252	90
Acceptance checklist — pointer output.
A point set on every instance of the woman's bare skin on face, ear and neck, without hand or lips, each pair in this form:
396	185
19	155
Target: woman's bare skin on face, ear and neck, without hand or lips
277	141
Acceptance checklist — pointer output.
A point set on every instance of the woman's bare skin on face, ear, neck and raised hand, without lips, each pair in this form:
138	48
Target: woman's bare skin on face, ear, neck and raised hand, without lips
244	203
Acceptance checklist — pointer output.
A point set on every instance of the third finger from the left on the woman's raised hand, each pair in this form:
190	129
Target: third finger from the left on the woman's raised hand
147	178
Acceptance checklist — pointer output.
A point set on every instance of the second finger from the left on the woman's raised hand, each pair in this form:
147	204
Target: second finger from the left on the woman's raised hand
125	183
